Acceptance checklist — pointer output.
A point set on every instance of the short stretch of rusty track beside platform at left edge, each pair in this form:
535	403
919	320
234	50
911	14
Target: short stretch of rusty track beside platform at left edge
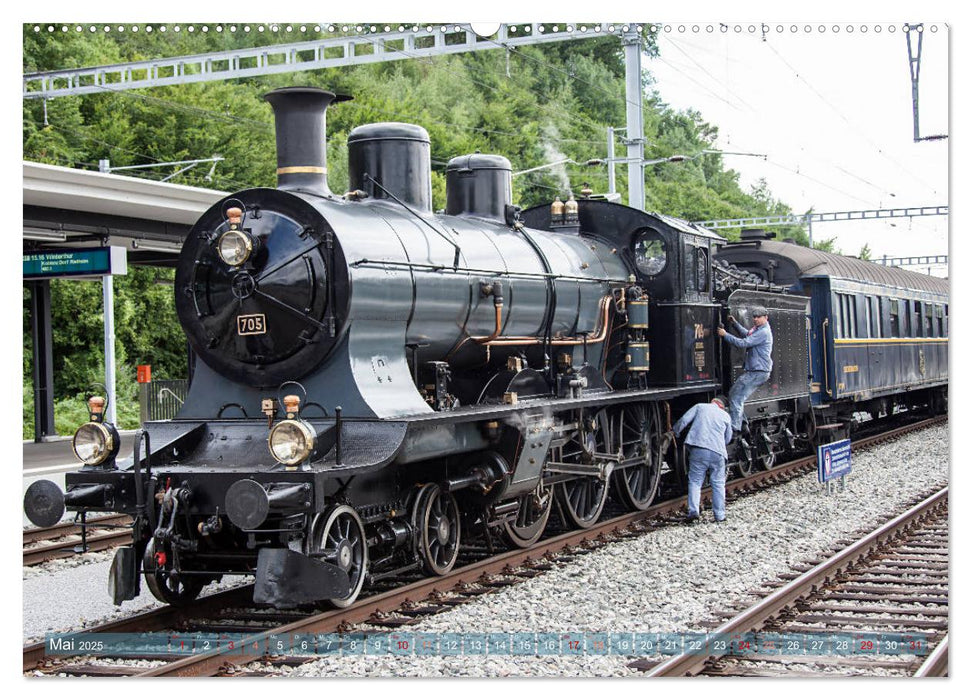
64	539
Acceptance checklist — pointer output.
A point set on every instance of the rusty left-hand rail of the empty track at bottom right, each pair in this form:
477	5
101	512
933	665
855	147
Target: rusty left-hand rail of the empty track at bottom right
770	606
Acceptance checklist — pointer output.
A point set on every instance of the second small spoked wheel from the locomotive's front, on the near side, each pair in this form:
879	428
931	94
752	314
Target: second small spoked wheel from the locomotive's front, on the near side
439	529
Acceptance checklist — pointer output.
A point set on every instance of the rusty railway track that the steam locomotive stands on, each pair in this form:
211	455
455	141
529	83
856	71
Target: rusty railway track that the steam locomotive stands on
232	612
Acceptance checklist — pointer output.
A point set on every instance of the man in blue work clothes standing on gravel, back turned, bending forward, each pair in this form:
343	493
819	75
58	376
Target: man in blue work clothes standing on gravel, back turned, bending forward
711	430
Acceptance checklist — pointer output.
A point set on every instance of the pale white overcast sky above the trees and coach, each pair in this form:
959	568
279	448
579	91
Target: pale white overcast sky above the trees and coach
832	111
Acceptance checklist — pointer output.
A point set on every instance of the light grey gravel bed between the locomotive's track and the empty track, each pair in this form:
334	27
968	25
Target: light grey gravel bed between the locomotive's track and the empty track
674	578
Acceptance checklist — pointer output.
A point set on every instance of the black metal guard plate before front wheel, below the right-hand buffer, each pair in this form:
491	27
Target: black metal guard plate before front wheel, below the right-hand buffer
286	579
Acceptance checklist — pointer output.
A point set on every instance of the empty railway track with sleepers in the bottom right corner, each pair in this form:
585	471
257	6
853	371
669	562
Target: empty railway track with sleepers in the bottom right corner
891	581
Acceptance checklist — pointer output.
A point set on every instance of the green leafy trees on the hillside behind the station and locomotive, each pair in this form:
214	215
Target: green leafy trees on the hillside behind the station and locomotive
534	105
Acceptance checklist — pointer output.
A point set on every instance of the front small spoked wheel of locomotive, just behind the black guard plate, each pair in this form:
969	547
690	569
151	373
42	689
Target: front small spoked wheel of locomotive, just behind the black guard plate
337	537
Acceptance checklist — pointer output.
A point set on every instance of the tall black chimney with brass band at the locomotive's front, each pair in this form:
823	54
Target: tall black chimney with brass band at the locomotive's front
301	137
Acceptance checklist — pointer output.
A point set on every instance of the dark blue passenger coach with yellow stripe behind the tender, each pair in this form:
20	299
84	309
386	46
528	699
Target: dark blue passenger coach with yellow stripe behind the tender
877	335
